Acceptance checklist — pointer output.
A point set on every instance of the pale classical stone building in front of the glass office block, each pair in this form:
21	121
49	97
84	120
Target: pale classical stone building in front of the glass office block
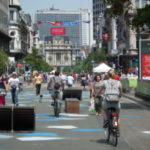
59	51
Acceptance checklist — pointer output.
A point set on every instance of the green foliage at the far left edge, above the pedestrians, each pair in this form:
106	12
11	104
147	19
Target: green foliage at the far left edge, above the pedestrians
3	60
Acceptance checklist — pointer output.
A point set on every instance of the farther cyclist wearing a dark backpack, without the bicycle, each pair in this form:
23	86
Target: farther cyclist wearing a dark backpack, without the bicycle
55	86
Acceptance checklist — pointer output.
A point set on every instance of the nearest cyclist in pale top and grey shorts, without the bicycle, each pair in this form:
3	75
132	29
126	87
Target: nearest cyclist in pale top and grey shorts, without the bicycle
114	88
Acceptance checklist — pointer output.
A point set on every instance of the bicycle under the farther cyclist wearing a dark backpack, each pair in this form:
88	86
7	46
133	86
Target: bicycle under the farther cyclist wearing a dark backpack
57	103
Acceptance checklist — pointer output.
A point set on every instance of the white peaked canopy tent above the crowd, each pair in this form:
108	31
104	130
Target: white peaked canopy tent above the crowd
101	68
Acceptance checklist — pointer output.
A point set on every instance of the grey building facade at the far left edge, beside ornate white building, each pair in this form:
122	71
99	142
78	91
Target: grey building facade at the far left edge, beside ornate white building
4	35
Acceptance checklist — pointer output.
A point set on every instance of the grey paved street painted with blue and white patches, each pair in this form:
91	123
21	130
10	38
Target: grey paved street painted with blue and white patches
77	131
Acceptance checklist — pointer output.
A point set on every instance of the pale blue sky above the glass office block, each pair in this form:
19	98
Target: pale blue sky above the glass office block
31	6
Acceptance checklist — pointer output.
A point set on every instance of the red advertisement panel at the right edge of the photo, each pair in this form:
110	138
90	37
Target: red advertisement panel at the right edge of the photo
146	66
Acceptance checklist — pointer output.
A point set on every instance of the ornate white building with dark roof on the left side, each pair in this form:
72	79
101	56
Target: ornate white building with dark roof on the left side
19	31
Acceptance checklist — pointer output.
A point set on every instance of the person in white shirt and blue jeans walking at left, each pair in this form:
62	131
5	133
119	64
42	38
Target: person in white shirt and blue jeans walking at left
14	86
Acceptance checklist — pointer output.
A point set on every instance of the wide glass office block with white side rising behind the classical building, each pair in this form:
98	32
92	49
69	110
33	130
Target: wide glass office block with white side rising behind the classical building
79	32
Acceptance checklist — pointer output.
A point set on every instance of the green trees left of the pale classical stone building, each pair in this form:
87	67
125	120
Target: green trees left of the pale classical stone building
37	62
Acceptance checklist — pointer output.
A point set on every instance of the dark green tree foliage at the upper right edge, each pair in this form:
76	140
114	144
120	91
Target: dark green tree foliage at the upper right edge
142	17
